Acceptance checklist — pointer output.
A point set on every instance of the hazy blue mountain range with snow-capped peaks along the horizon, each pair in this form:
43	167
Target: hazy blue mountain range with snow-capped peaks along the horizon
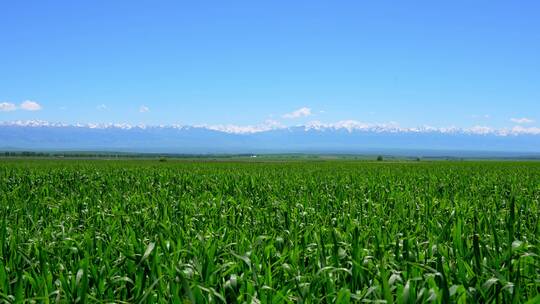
315	137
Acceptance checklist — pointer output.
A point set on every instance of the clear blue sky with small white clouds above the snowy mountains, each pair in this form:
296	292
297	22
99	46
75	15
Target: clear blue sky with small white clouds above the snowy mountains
414	63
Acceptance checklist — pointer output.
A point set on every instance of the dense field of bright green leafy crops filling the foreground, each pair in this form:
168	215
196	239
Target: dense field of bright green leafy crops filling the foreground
303	232
